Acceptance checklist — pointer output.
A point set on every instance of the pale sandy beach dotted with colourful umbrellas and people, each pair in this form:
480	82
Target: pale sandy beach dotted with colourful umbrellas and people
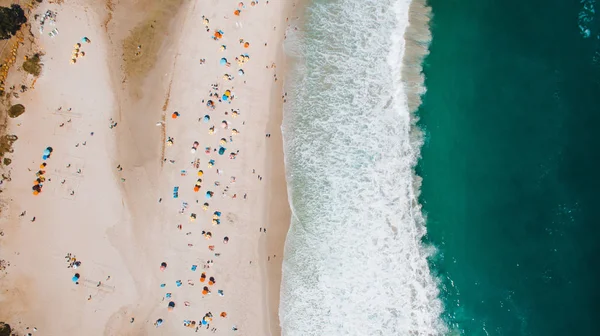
162	153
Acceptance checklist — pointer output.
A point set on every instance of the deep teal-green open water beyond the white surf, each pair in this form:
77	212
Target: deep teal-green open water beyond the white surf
510	165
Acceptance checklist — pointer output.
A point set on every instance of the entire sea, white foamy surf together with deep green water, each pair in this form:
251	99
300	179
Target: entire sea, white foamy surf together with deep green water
479	219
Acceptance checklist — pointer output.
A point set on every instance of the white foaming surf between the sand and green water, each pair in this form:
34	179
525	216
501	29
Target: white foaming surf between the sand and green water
354	259
